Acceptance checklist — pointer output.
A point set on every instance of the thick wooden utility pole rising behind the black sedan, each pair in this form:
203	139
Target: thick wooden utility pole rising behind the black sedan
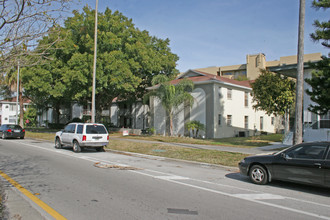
297	138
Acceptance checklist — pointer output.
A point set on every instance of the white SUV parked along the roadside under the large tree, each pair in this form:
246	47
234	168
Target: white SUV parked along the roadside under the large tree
80	135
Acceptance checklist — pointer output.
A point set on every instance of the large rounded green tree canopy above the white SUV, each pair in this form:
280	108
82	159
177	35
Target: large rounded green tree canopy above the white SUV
127	60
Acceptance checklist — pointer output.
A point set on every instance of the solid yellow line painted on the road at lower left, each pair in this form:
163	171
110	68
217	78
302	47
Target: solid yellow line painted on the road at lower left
33	198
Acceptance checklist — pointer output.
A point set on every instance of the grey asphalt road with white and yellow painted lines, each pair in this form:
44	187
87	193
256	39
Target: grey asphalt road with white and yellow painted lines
106	185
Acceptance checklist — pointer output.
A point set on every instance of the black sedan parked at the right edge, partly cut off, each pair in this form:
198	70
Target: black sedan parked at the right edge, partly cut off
307	163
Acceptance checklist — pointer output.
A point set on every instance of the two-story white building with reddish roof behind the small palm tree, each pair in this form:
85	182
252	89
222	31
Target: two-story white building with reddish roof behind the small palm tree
223	105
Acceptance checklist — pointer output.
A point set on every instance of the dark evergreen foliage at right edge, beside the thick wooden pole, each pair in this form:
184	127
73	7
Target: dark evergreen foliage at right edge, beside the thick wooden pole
320	80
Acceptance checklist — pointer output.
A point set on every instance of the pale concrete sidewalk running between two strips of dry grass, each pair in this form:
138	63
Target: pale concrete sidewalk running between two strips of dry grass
256	150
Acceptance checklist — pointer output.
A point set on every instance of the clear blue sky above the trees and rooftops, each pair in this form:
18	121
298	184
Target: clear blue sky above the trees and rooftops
205	33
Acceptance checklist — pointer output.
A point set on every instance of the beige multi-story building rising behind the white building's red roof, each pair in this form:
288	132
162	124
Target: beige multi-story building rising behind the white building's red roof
251	69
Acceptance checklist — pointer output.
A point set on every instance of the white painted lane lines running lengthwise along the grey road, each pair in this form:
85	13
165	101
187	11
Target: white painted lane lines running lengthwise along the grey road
174	179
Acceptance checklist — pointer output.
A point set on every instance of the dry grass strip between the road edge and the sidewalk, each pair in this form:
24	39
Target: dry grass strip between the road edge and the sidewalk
198	155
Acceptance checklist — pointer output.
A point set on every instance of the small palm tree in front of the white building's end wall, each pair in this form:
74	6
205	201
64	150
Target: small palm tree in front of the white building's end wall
172	96
